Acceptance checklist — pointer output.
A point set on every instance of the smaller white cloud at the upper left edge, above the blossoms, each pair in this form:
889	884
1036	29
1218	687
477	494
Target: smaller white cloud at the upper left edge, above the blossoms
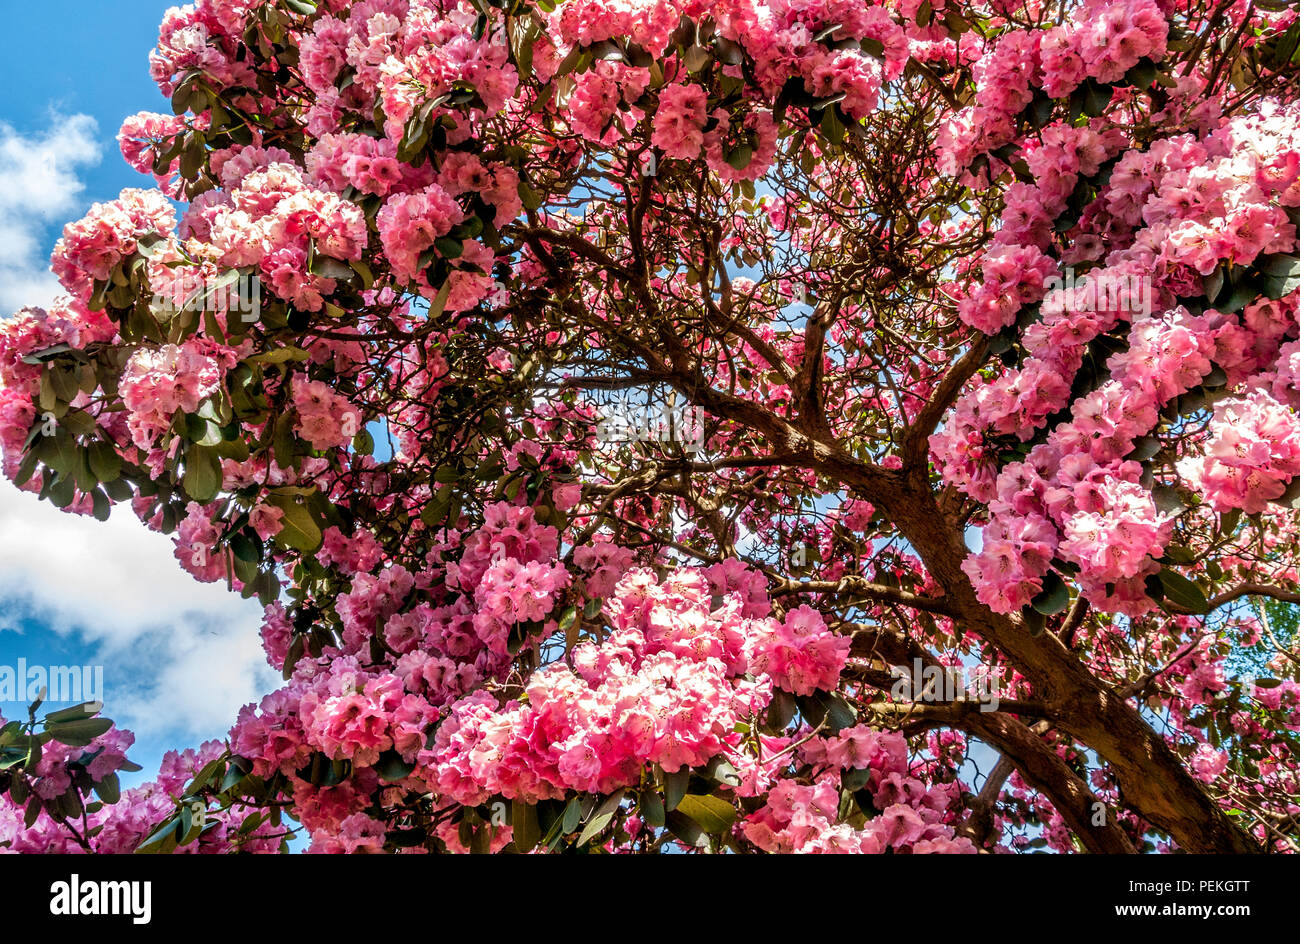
38	188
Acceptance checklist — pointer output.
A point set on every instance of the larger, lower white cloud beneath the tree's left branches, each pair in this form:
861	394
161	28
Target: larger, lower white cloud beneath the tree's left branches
180	657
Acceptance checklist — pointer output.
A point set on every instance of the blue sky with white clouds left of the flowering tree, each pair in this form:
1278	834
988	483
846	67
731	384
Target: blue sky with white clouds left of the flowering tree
180	659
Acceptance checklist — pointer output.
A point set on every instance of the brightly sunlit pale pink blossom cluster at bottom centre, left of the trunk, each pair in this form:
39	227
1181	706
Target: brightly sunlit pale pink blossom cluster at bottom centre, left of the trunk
664	688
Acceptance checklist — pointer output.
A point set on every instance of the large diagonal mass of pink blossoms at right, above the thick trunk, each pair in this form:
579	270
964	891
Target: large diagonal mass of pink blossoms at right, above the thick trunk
1074	496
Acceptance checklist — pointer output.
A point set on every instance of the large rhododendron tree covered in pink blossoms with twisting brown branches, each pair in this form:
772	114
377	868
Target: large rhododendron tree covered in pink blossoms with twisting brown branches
986	324
